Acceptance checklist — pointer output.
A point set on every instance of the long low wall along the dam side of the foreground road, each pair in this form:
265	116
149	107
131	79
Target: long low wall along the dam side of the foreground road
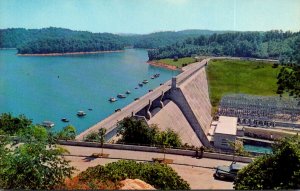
158	150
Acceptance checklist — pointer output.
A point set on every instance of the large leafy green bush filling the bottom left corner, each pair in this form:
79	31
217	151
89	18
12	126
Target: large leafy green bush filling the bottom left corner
33	166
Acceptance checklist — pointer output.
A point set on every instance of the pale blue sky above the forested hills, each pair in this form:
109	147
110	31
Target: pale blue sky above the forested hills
146	16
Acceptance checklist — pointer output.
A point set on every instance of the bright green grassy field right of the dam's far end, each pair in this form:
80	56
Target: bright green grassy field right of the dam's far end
236	76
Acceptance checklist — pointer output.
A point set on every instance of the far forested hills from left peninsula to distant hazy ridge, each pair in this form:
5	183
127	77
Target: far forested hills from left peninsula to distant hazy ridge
59	40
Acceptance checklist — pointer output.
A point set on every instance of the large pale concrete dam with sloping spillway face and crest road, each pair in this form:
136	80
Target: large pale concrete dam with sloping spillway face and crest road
181	104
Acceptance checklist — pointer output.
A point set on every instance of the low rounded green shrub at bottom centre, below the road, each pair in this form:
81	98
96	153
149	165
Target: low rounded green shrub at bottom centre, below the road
158	175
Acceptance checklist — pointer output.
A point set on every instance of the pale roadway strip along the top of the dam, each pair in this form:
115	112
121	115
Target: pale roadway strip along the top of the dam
110	122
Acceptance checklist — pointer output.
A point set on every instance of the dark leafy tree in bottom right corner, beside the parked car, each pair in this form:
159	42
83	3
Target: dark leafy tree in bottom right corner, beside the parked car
279	170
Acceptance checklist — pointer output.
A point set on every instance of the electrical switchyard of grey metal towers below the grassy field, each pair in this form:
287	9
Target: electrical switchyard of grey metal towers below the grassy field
261	111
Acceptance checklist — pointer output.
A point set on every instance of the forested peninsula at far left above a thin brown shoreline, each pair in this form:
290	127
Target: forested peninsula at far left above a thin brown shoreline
58	40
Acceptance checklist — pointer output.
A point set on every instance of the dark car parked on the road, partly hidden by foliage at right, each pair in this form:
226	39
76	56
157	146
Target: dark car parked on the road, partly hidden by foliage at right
228	172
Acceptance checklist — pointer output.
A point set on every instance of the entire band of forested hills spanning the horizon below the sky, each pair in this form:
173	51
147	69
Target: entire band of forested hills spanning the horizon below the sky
271	44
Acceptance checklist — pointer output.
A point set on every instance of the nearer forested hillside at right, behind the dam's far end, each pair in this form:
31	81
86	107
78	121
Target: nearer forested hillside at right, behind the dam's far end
271	44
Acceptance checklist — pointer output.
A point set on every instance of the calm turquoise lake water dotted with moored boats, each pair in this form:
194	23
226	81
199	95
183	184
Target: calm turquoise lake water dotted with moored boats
51	88
